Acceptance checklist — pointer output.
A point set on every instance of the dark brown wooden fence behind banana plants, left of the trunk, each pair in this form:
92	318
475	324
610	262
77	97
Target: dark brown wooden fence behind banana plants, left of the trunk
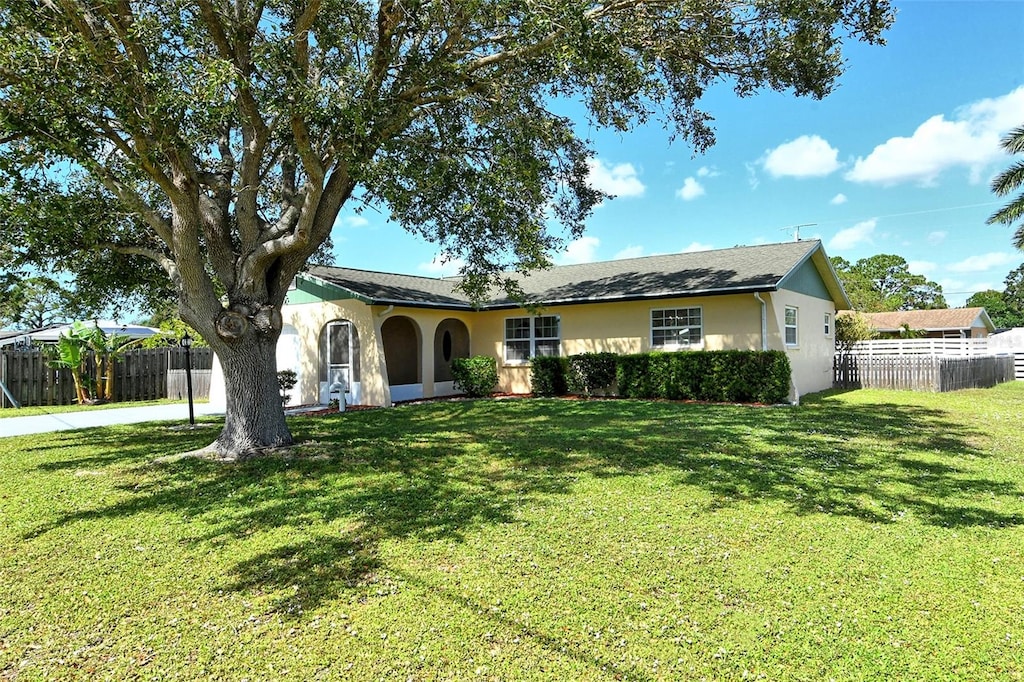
139	375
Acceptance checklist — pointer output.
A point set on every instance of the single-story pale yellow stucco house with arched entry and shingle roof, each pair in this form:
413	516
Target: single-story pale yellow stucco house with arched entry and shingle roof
387	338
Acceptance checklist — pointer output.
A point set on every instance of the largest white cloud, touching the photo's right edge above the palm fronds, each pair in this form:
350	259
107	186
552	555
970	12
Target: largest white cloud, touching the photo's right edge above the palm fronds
970	140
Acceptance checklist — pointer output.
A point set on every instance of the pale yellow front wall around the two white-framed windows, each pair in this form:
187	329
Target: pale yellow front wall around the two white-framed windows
730	323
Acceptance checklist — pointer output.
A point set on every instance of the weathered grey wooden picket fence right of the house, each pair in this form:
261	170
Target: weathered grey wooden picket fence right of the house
922	373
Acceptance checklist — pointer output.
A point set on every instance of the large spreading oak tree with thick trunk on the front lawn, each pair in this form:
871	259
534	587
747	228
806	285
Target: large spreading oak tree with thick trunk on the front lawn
238	131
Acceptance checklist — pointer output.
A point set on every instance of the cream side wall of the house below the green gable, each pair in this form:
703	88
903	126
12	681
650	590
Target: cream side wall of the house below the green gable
812	359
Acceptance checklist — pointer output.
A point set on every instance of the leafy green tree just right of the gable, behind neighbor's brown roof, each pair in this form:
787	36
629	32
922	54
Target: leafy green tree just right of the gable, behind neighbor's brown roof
884	283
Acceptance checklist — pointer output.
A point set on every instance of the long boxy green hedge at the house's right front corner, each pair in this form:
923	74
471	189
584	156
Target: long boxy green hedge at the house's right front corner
721	376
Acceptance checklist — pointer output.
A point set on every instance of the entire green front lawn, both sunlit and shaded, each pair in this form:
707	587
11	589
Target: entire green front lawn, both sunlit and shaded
866	535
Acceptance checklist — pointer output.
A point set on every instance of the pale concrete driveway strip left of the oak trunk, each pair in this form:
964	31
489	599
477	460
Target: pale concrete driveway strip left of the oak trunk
12	427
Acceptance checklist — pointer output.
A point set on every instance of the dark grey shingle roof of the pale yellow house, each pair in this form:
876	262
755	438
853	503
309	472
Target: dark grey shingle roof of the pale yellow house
740	270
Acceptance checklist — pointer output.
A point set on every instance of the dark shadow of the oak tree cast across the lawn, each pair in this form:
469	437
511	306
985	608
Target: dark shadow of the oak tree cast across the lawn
440	472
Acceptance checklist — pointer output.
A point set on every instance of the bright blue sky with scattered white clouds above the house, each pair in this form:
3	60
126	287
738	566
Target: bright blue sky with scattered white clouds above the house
898	160
